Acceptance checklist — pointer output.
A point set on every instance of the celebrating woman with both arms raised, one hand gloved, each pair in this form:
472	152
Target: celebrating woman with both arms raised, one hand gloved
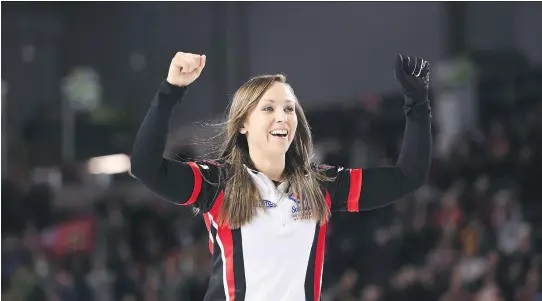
265	204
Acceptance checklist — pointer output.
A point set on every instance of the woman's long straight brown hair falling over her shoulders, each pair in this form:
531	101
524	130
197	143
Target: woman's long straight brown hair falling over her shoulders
241	196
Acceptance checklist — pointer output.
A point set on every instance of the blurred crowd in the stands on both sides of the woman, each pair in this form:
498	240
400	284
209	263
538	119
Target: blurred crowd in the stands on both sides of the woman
473	233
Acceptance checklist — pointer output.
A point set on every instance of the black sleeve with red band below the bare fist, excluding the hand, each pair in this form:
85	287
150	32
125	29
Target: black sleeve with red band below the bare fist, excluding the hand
183	183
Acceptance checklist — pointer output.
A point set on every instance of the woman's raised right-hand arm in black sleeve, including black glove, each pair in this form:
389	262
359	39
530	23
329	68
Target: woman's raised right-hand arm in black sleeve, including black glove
364	189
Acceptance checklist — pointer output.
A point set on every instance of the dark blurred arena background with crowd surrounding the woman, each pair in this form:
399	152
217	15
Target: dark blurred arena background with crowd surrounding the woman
77	79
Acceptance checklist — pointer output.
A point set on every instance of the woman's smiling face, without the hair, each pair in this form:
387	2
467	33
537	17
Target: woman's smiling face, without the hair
271	125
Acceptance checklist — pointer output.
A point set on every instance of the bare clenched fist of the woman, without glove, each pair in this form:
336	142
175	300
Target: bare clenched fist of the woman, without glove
185	68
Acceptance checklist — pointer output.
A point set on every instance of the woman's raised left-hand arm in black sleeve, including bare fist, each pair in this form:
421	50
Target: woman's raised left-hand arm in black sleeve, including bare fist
179	182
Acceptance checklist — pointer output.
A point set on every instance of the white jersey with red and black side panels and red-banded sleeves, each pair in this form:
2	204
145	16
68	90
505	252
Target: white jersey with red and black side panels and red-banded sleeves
275	257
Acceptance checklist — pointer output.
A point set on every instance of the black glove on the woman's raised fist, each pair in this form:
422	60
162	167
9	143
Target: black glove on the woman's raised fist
413	74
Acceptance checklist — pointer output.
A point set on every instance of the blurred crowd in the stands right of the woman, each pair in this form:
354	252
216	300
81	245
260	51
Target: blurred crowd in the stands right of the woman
473	233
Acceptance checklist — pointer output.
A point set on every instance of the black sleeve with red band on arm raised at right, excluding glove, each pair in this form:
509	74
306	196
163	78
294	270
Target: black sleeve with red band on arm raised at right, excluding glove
356	189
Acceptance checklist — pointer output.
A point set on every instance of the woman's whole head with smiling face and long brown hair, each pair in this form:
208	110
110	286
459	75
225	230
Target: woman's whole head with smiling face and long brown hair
266	127
